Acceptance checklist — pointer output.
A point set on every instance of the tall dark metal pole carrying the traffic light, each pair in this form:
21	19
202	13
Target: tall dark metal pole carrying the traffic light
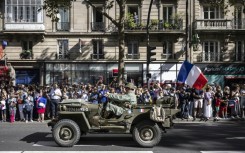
148	43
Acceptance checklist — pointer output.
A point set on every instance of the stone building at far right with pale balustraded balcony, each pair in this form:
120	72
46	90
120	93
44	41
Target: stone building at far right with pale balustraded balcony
220	53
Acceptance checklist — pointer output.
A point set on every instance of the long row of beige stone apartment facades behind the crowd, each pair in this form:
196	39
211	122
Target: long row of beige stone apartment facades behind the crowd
83	45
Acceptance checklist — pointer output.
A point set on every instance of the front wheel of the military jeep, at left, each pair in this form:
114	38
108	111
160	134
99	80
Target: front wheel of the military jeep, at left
66	133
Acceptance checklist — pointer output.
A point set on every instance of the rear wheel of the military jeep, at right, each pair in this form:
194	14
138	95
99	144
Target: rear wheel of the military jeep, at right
147	134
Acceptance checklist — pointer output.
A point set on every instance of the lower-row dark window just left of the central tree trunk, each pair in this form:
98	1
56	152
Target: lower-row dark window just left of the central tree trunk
98	50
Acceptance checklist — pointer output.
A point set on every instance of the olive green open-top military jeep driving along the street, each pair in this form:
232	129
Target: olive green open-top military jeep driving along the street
145	122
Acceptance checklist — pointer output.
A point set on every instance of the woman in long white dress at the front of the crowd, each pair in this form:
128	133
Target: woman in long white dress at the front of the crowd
207	114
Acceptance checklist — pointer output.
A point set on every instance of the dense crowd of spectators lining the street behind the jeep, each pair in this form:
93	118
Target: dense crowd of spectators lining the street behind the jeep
33	102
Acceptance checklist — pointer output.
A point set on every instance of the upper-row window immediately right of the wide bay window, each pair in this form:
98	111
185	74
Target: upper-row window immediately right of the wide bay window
63	23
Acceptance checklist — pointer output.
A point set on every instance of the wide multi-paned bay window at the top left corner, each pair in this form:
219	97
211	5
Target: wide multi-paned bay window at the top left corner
24	11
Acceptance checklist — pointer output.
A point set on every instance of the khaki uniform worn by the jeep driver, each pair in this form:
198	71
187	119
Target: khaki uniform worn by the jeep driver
120	99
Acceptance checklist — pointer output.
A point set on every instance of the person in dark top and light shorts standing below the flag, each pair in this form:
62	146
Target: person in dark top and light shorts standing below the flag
198	96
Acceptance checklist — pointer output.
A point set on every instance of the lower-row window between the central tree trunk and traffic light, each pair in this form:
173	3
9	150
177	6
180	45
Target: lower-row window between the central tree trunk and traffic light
133	50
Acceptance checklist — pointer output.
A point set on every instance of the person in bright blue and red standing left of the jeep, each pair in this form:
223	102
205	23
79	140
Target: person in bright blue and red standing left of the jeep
41	106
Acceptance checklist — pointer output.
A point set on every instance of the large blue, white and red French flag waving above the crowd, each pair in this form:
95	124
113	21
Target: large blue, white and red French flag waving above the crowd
192	76
